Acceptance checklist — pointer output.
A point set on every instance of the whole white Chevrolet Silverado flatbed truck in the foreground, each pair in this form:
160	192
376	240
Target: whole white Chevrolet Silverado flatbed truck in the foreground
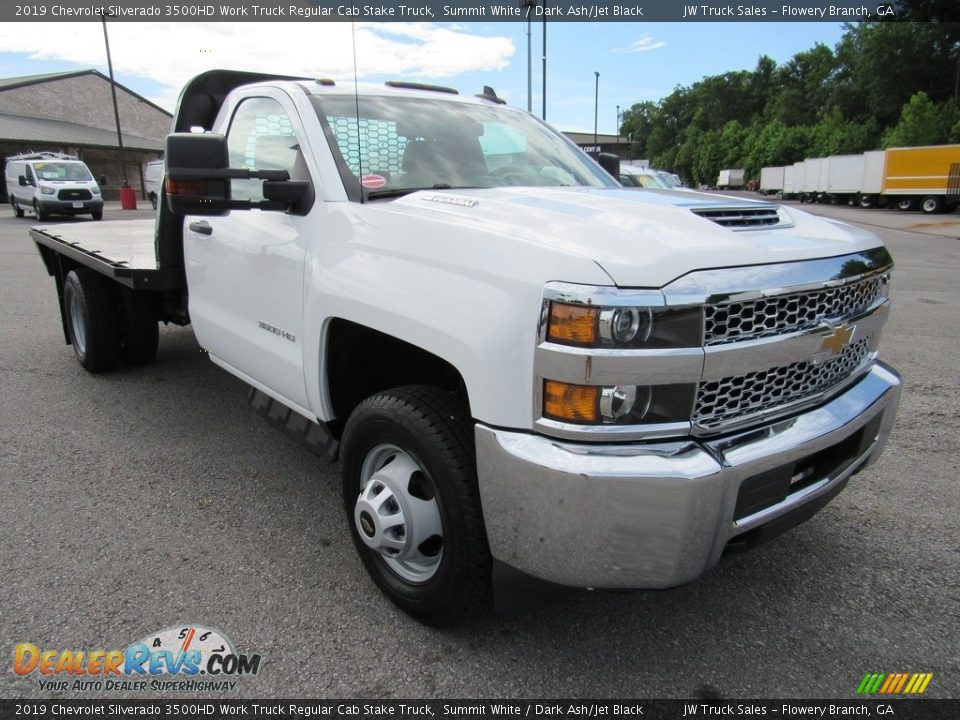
528	373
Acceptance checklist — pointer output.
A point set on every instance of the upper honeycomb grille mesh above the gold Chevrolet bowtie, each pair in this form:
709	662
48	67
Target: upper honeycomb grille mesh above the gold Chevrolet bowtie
735	321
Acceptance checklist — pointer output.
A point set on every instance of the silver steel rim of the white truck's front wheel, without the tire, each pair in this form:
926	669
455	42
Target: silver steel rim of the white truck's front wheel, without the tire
397	513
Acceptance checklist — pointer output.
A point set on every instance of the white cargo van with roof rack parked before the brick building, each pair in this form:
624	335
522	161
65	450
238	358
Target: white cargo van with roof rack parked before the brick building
52	184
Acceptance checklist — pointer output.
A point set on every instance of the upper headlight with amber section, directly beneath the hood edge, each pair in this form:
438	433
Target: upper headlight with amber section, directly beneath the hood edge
624	327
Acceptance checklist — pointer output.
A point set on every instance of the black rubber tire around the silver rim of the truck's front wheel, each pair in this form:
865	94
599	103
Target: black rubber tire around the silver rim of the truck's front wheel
431	428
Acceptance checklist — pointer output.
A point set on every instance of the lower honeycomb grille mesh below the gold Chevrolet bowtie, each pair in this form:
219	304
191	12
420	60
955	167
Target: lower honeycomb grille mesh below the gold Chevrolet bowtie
733	397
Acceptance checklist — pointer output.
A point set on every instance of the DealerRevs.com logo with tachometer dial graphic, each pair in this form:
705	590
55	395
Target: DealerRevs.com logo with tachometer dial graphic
180	658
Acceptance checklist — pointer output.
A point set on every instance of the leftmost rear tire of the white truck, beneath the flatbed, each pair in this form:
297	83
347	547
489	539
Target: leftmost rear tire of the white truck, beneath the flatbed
91	320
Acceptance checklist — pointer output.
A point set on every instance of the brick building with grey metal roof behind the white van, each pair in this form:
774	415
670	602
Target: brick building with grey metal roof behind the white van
72	112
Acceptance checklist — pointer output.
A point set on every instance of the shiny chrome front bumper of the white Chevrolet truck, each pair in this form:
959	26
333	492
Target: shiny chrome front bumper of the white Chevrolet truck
659	514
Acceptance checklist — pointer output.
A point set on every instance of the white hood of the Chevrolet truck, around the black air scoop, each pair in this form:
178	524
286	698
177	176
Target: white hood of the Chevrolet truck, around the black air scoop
640	238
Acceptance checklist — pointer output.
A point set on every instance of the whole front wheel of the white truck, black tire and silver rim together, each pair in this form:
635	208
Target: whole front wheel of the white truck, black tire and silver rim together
413	503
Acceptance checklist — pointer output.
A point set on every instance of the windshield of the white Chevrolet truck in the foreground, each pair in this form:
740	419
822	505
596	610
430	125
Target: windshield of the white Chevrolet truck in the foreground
405	144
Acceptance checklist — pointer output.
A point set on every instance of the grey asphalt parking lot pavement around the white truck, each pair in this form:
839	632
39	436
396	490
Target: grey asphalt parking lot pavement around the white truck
148	498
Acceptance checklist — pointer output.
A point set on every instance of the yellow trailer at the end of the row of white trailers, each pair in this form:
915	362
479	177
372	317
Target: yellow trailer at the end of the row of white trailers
920	176
